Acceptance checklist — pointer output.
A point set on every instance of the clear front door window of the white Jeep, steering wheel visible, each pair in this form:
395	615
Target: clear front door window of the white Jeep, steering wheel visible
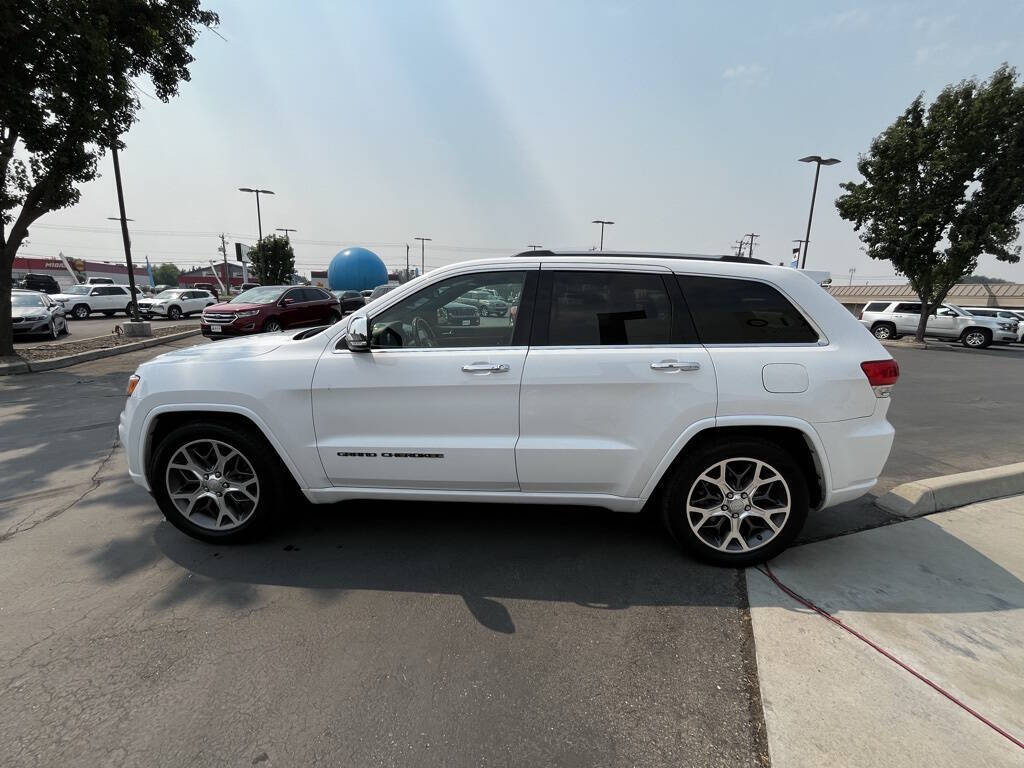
468	311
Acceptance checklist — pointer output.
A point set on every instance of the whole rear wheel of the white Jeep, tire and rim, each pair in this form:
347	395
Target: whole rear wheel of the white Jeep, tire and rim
737	503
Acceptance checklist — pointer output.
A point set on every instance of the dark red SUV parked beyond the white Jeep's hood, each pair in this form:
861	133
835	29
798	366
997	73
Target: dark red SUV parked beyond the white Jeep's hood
270	309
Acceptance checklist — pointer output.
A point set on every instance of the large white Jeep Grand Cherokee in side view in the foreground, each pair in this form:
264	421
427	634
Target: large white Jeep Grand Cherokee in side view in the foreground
735	397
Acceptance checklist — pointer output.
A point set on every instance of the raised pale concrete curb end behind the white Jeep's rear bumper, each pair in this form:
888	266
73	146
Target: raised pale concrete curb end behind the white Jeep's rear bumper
938	494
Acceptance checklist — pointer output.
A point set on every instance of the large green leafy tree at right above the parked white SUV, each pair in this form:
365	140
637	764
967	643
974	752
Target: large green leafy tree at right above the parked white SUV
945	185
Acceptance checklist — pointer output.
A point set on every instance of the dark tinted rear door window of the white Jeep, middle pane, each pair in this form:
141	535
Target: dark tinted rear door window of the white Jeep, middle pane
590	309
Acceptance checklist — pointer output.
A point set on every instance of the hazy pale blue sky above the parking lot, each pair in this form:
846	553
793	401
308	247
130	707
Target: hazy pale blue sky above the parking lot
492	125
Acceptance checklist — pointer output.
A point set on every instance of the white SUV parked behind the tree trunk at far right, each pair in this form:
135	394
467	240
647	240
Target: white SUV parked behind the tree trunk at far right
890	320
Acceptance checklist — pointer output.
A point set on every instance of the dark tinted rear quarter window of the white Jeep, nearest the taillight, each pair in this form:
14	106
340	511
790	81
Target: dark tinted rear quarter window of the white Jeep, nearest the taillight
744	312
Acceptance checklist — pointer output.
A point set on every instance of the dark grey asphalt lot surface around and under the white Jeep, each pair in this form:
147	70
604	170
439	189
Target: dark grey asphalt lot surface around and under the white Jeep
382	634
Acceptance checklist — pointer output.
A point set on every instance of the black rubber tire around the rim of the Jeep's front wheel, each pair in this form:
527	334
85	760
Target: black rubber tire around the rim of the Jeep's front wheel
271	475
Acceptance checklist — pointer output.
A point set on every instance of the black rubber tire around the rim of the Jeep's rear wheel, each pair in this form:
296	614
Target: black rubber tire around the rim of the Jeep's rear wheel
705	457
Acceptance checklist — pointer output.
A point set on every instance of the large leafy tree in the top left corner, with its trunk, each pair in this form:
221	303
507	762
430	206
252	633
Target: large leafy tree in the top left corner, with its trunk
69	93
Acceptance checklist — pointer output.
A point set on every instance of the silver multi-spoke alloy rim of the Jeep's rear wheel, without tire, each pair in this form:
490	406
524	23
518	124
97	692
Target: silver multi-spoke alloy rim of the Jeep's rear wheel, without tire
739	505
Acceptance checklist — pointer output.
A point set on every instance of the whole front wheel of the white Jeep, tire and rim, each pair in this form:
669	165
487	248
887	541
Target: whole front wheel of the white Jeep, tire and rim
217	484
